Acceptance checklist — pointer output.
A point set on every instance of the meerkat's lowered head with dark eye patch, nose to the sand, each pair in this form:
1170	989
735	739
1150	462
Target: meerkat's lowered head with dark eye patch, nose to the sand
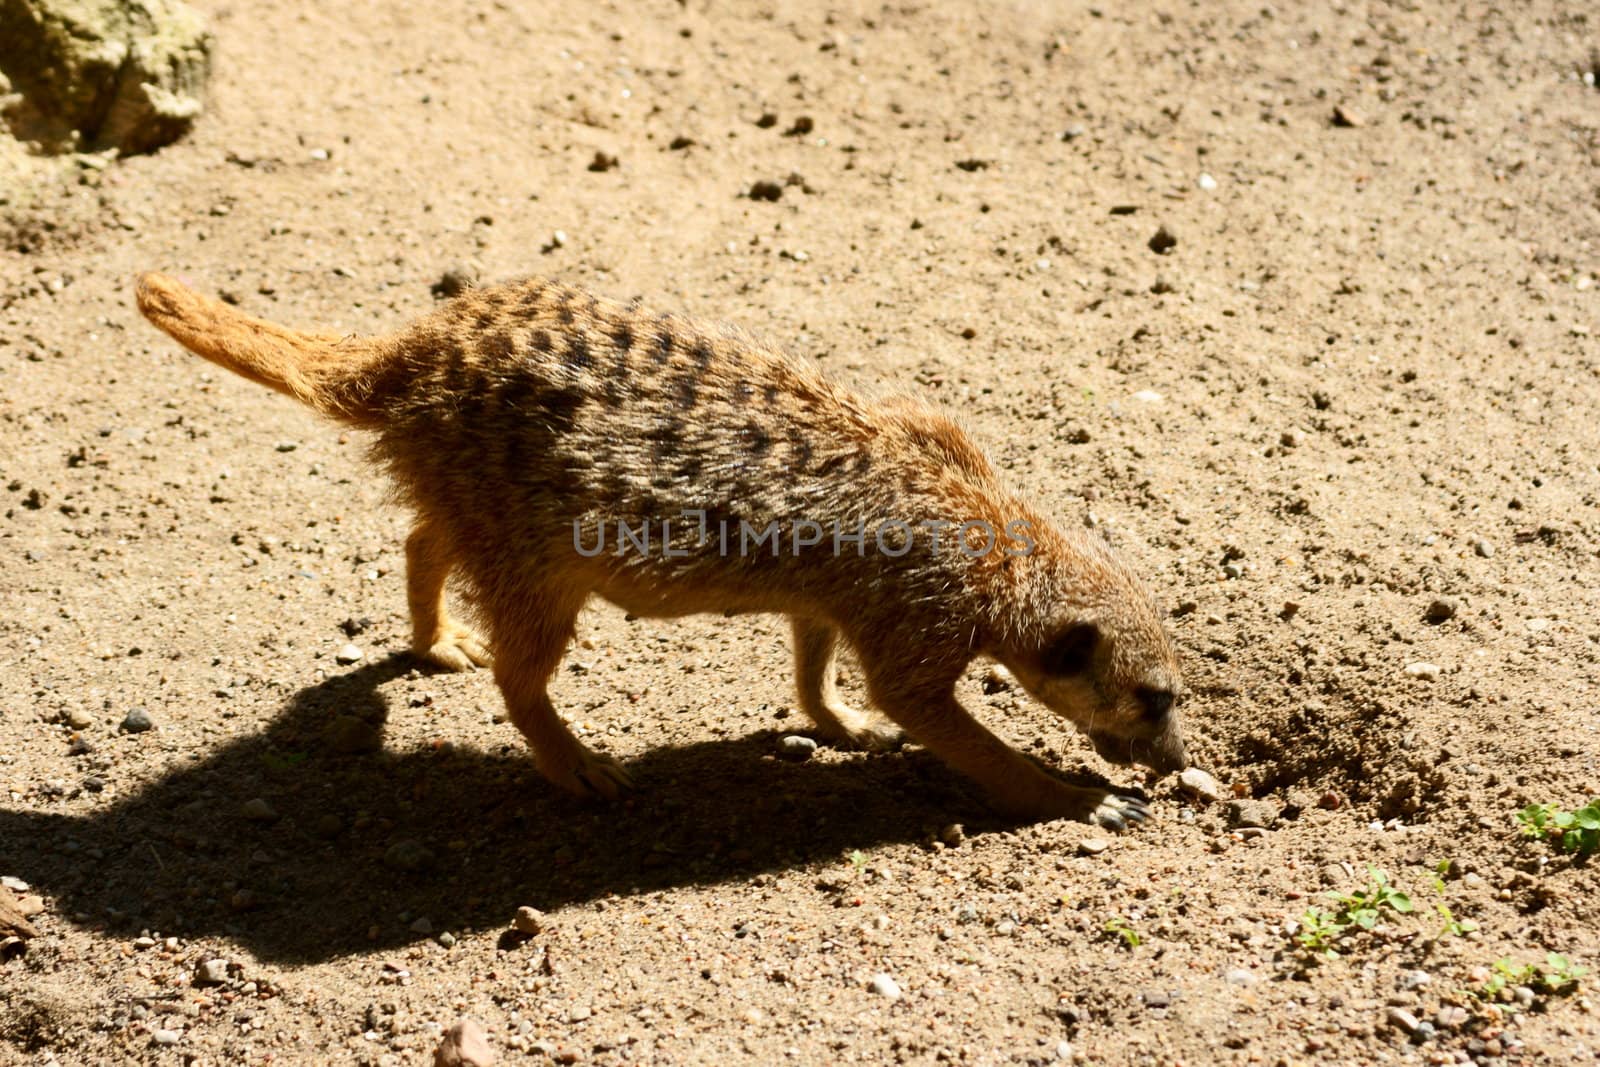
1092	647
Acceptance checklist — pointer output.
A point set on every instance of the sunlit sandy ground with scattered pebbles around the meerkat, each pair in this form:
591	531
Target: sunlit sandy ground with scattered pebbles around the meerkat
1364	380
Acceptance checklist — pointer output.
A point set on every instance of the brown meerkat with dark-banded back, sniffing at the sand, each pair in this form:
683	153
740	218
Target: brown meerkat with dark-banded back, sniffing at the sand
558	446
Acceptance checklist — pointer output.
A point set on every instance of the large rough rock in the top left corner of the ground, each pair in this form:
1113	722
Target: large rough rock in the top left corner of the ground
106	74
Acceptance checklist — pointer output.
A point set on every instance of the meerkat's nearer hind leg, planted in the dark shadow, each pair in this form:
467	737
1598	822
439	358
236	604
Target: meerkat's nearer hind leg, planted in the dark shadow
529	645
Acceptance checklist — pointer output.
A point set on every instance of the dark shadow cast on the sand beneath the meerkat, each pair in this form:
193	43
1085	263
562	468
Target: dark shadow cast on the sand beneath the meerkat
364	845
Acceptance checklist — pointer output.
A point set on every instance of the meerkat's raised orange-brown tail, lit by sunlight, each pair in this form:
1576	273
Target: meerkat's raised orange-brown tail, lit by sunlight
322	370
